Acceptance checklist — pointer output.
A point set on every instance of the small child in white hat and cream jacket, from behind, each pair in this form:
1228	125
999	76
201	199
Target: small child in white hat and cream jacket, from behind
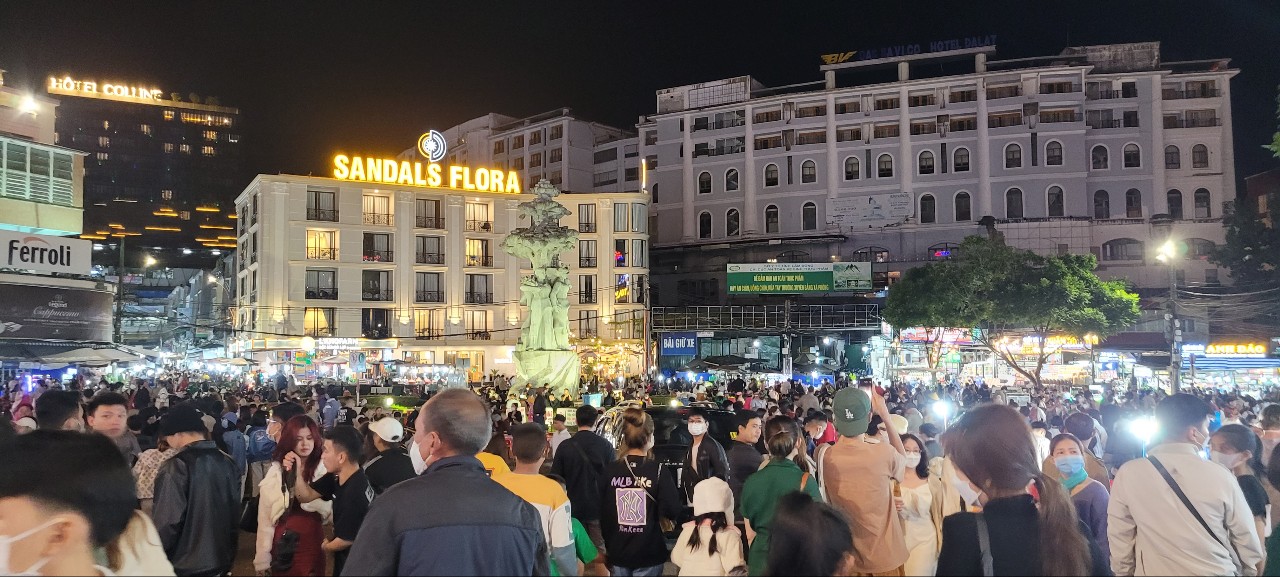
710	544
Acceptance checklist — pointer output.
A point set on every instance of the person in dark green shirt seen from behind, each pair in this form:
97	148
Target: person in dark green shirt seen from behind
780	477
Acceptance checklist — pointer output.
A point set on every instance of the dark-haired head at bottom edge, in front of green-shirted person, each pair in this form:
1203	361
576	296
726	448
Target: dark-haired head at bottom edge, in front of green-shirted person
807	538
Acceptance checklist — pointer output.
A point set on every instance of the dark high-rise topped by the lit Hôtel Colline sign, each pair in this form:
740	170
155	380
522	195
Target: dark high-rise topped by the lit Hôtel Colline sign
162	168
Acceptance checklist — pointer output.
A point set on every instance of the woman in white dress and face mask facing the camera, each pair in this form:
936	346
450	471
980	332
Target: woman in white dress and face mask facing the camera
917	509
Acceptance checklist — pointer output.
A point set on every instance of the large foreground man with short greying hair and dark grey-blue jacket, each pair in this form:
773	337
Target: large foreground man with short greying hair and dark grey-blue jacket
452	519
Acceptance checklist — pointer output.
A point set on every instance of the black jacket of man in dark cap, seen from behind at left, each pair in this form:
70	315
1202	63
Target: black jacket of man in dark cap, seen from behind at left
196	511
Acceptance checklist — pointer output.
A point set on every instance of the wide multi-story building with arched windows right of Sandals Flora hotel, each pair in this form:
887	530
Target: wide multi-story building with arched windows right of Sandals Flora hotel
1101	150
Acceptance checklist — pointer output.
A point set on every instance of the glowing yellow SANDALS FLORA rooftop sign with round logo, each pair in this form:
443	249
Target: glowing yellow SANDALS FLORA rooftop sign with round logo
414	173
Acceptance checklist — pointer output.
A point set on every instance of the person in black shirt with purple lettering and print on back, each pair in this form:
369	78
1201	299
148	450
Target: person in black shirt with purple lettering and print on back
636	496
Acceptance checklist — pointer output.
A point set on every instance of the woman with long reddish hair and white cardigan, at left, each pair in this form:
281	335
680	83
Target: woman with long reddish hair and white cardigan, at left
286	524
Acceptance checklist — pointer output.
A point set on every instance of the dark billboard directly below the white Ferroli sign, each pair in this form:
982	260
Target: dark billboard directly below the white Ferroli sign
56	313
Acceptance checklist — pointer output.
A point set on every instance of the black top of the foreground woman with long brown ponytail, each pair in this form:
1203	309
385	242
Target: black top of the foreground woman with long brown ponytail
1013	525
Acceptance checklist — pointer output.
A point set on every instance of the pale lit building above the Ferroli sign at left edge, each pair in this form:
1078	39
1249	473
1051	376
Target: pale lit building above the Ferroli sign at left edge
42	184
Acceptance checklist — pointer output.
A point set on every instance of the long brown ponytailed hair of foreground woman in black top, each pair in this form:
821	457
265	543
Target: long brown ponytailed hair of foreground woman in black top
993	446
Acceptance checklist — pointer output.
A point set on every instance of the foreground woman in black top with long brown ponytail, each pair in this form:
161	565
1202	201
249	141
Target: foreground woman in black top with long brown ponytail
1027	525
